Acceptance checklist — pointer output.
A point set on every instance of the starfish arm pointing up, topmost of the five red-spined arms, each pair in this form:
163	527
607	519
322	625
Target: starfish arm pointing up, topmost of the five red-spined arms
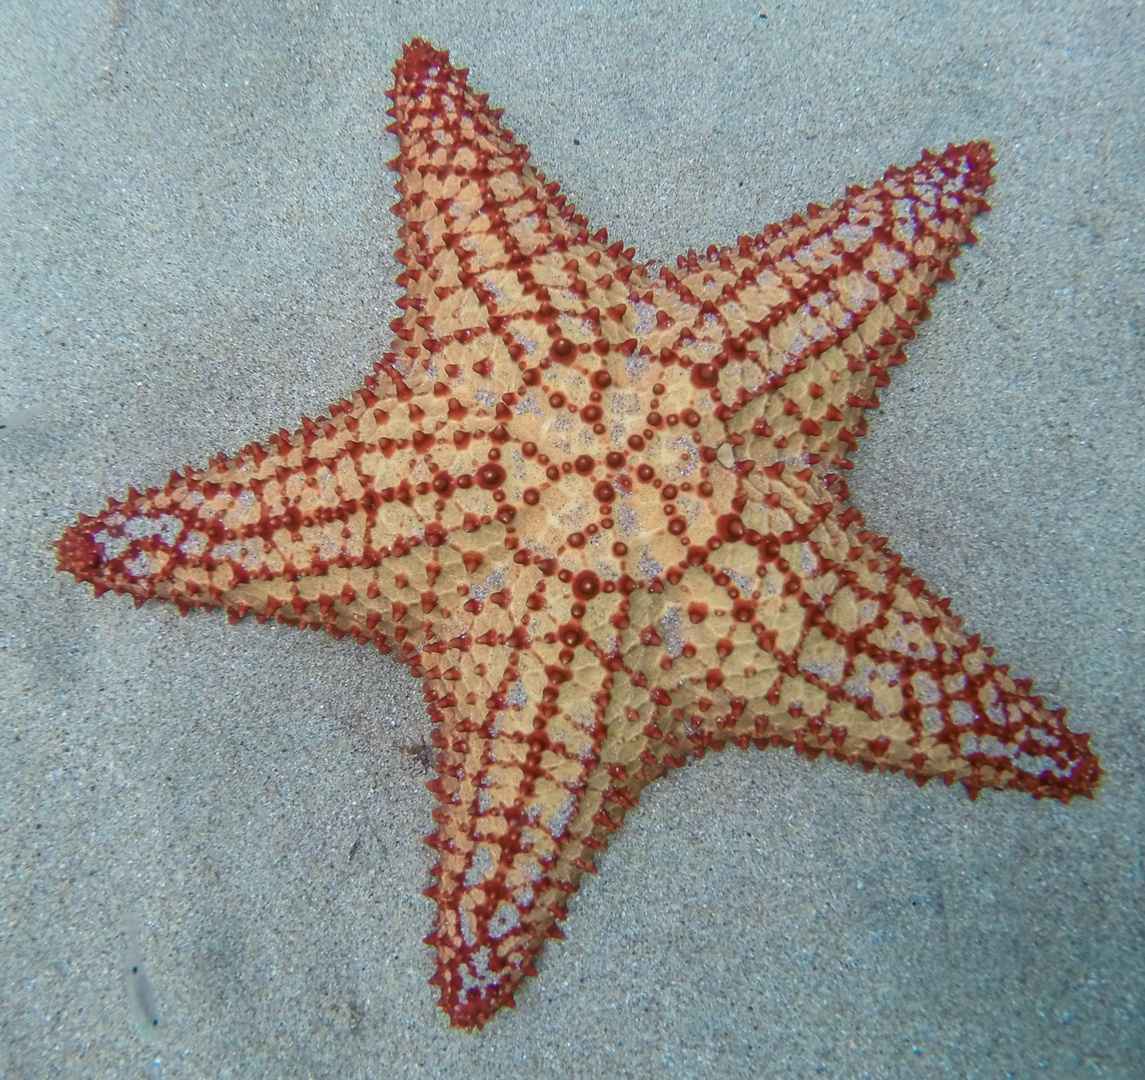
502	274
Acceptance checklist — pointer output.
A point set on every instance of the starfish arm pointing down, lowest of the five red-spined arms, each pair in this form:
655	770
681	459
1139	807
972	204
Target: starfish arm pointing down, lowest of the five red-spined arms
517	768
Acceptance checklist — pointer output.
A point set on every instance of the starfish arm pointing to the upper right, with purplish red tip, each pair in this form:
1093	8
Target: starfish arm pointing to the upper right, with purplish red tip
787	337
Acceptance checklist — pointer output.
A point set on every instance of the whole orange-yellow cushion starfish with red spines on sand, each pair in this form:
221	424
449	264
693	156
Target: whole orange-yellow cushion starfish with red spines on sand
599	511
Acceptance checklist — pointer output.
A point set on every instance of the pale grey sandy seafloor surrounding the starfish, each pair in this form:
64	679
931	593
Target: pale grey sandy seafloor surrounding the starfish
198	250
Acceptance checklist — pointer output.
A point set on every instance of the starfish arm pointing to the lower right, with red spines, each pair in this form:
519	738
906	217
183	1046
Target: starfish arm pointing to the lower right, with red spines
839	649
